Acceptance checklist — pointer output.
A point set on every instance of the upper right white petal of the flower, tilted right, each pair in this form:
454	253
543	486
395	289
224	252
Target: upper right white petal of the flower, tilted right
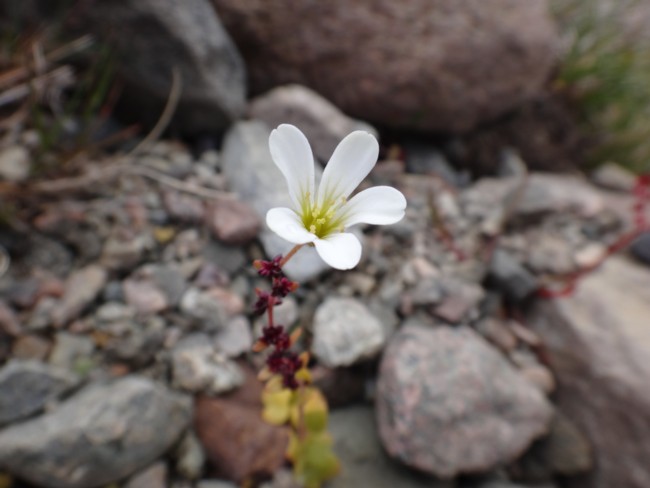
351	162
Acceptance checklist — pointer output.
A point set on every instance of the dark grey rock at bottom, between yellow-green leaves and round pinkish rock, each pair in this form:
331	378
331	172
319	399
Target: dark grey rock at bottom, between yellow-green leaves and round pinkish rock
364	463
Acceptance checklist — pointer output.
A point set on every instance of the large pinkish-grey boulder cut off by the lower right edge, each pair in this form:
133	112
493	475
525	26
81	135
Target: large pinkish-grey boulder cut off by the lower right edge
598	342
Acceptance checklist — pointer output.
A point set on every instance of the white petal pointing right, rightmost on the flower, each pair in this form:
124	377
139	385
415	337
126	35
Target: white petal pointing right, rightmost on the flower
380	205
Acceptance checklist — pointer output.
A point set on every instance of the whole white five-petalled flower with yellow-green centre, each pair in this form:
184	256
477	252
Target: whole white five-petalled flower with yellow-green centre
321	217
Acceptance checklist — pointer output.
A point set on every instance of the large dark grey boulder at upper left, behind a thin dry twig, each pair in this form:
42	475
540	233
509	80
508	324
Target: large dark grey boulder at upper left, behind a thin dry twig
189	39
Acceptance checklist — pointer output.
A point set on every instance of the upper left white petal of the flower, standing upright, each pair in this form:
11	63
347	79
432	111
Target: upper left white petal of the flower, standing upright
292	154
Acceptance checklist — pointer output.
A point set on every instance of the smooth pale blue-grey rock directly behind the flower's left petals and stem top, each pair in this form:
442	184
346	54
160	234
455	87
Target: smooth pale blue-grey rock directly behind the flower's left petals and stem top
251	173
